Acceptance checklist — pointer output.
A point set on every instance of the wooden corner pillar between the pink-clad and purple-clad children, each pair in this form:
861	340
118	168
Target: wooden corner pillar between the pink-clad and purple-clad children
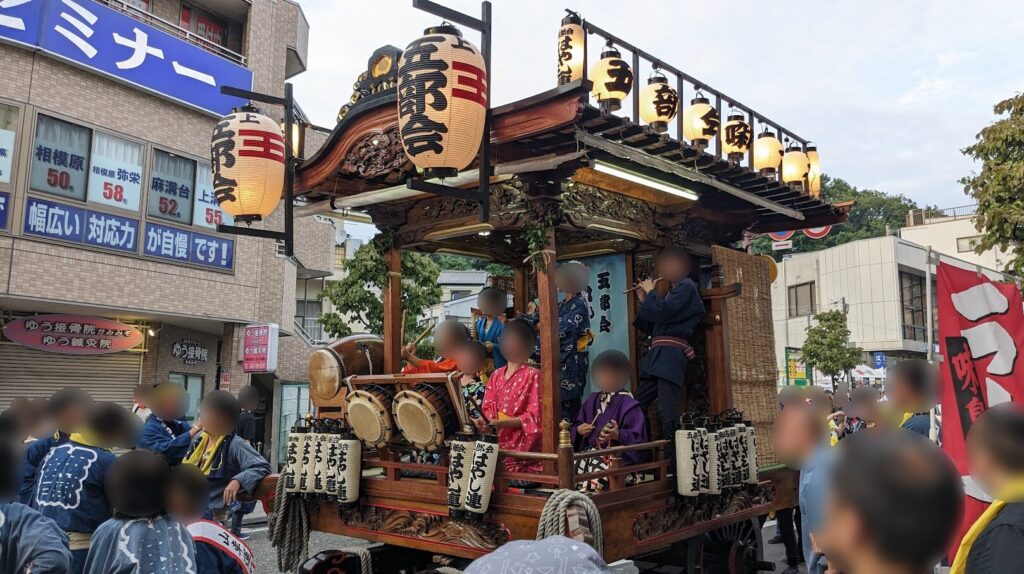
551	406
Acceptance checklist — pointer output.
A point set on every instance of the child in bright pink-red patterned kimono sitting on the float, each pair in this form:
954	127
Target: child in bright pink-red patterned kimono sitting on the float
513	398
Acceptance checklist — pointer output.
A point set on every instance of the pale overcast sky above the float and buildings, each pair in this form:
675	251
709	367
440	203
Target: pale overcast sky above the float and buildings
889	91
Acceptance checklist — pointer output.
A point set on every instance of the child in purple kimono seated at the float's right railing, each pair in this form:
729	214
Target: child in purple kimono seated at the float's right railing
611	417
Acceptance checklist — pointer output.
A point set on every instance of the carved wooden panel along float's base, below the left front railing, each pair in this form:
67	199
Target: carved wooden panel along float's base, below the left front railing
430	527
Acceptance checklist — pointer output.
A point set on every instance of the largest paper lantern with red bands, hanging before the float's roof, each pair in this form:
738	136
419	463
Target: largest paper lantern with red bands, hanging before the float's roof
443	102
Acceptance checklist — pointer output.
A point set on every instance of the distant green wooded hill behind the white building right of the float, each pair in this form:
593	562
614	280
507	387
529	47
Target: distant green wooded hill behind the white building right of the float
872	215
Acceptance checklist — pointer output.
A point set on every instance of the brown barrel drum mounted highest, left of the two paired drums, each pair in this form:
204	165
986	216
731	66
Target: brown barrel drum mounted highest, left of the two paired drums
356	355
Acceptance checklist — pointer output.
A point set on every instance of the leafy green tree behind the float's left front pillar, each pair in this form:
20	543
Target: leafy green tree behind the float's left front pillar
359	294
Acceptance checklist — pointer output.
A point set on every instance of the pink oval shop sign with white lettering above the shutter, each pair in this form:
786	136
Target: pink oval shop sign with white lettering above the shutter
73	335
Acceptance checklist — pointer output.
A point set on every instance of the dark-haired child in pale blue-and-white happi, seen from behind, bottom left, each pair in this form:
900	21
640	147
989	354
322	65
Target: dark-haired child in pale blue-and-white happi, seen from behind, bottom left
141	538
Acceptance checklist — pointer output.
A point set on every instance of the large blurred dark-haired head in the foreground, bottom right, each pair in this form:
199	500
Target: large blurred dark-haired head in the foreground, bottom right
895	498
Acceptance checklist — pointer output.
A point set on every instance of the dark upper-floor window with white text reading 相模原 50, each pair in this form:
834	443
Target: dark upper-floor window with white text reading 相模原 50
62	155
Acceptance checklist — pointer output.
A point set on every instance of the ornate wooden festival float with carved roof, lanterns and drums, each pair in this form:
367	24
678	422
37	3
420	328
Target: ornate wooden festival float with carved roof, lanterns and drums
603	168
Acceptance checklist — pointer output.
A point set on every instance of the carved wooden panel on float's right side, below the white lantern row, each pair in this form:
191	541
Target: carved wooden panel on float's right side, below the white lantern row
692	512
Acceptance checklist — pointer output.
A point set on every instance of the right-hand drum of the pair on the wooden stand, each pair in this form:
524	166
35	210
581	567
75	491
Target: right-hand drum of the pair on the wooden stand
425	416
